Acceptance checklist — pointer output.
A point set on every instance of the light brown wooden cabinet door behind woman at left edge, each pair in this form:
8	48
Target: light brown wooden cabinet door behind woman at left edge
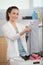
3	49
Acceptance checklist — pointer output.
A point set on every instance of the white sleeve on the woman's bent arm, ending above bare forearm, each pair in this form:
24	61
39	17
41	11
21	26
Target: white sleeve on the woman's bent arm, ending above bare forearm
9	35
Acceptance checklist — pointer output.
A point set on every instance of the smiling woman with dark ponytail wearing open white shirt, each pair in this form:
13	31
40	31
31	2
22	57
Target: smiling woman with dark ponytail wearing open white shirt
9	30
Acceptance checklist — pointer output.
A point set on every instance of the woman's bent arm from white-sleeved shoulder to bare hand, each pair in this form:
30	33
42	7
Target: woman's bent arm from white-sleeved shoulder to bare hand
8	35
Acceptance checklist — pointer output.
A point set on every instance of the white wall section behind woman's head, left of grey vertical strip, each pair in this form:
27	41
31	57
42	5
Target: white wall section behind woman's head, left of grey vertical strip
22	4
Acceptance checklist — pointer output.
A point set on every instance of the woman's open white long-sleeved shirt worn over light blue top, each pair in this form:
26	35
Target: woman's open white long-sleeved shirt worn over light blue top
11	37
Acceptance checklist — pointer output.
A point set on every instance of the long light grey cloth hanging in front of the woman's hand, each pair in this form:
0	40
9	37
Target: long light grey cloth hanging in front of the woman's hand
33	38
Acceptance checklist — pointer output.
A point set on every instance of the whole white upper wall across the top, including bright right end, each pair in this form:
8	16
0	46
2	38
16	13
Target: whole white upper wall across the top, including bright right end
22	4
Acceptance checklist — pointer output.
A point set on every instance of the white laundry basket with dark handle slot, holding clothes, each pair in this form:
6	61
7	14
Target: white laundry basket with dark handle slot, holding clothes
28	62
